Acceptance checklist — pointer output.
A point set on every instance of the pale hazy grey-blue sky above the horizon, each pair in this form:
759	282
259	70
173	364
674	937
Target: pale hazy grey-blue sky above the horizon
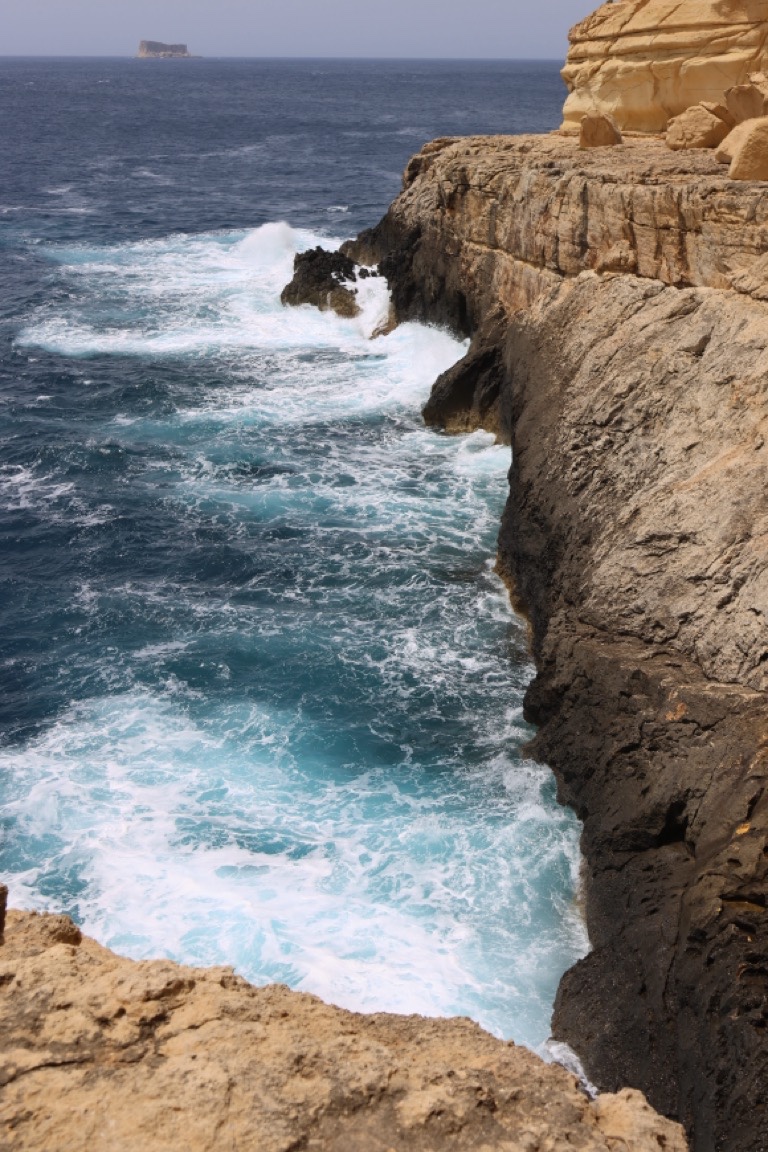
293	28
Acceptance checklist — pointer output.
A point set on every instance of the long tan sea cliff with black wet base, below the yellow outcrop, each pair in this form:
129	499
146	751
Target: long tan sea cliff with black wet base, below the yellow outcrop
620	342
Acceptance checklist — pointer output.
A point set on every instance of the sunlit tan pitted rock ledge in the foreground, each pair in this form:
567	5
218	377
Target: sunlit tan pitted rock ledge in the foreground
103	1055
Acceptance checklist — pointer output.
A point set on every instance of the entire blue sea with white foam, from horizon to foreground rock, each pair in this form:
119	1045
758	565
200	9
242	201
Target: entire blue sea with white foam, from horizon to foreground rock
261	691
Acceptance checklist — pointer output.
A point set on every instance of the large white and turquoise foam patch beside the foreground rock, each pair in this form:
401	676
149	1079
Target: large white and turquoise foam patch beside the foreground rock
354	895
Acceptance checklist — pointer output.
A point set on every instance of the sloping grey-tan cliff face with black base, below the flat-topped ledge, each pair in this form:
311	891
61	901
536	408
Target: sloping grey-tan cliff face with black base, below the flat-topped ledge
637	536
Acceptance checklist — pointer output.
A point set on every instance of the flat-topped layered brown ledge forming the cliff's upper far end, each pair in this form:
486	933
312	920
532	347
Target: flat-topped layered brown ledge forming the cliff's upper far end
503	219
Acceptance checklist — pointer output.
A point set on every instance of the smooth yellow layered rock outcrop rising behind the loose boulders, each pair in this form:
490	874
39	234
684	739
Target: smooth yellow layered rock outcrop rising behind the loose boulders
645	62
